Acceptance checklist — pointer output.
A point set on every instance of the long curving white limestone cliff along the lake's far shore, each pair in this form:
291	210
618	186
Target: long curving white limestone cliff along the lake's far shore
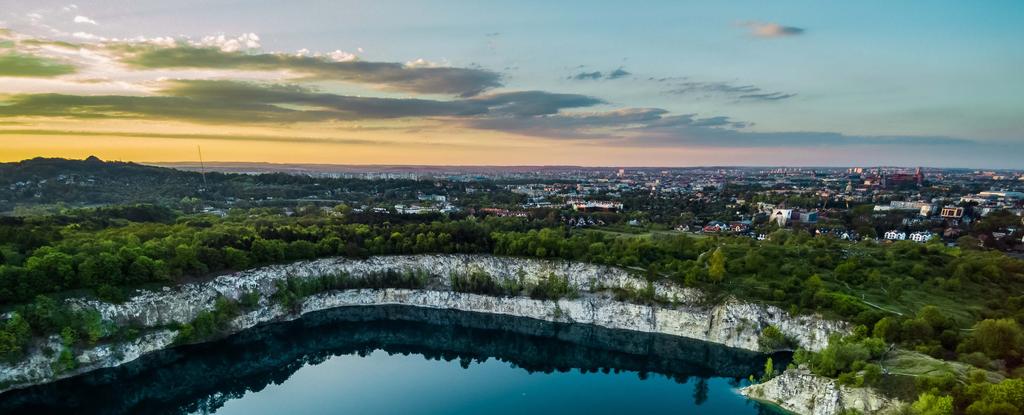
734	324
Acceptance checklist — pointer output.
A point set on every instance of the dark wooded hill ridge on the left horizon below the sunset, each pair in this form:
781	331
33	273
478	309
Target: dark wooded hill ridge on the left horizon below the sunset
44	182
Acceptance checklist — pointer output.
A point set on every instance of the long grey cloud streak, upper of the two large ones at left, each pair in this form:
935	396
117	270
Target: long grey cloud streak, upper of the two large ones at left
411	78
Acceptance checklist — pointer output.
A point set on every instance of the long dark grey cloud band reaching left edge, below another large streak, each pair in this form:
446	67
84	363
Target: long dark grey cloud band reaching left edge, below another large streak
230	102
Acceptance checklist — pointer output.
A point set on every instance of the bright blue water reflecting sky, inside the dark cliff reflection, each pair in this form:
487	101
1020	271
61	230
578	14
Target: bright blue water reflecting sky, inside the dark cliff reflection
380	384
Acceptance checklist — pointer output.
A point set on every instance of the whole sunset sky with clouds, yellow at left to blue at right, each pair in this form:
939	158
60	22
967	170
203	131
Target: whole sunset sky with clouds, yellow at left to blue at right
674	84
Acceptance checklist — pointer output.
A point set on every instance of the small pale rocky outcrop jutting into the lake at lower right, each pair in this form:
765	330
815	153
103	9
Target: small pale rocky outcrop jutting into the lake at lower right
804	393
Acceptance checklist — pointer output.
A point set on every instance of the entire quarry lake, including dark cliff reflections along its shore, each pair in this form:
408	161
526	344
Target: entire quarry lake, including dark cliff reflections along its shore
401	360
